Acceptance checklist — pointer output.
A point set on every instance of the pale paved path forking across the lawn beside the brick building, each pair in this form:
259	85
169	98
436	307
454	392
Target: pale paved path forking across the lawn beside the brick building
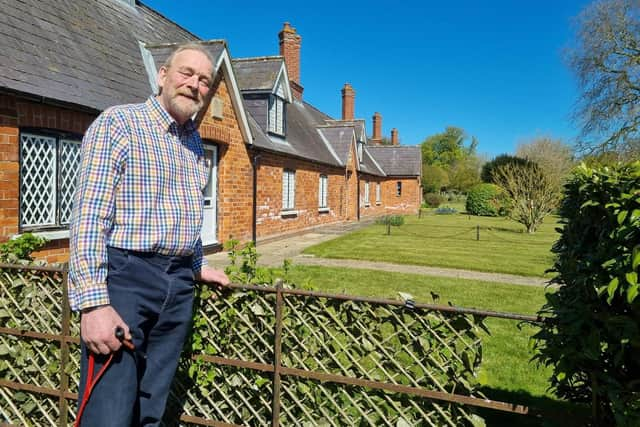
274	251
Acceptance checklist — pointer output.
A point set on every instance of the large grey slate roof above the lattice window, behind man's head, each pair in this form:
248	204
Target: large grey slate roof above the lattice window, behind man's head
85	53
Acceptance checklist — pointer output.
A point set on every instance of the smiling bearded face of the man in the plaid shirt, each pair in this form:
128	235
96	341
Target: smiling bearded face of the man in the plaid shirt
185	84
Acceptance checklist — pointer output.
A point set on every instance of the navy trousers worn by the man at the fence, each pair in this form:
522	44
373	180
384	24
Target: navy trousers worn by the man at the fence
154	295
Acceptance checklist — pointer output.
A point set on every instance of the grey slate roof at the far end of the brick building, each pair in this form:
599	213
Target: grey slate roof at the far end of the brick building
398	160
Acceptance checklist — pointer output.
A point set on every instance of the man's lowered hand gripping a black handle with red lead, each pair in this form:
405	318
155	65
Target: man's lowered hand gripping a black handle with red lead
97	329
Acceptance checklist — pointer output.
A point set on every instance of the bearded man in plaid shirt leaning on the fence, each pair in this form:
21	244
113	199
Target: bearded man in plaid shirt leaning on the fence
135	241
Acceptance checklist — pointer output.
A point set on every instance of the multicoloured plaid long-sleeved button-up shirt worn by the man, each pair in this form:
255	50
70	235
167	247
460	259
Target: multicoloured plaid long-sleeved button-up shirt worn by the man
140	188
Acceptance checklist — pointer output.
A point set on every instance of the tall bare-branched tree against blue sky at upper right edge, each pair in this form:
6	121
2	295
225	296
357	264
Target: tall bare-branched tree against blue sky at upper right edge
606	60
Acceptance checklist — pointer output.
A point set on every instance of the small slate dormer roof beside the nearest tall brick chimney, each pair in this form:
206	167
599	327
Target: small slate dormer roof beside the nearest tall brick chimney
257	74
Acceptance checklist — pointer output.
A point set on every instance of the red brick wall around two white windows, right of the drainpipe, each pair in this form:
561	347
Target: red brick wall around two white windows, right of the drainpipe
307	177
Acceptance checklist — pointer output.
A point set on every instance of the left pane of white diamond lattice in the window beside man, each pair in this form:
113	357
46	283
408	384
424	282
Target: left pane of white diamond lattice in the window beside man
38	186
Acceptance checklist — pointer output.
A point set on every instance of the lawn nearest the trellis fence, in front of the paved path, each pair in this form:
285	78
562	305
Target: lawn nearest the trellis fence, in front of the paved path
506	373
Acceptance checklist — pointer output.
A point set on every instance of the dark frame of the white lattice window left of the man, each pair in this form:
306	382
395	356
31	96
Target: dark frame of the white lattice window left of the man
58	181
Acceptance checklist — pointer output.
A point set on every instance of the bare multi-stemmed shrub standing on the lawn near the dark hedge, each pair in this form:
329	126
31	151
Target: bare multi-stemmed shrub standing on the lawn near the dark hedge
532	194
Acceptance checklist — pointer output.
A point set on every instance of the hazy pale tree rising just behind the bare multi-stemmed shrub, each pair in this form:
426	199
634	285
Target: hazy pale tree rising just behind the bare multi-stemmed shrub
552	155
